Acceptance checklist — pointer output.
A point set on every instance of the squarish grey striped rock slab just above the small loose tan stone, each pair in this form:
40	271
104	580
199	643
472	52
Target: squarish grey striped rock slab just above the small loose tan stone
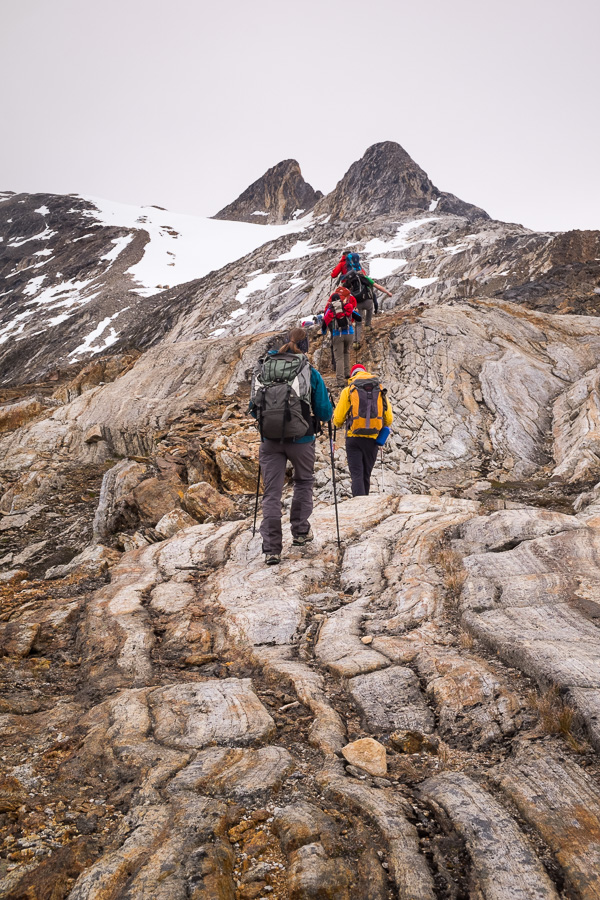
391	699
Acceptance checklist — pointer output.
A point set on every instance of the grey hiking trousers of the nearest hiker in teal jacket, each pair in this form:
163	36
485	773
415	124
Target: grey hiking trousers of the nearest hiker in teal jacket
273	458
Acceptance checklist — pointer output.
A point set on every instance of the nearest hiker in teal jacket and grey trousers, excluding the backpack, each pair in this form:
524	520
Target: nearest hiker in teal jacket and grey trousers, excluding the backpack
300	451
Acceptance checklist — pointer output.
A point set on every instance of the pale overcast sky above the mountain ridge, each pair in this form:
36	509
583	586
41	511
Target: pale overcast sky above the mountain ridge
184	103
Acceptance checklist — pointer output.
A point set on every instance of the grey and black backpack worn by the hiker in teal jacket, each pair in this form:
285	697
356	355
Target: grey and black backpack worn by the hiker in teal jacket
281	395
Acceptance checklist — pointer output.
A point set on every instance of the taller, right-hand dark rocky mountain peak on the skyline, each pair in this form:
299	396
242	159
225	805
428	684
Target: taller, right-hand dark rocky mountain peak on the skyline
387	181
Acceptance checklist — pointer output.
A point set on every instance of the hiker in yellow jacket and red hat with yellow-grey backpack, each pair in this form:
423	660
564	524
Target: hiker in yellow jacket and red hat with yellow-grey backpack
365	409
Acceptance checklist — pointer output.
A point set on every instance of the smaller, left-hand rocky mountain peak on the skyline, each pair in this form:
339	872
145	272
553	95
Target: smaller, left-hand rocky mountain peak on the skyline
278	196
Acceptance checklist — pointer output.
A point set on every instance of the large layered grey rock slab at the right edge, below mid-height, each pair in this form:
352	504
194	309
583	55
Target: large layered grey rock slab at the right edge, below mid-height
524	604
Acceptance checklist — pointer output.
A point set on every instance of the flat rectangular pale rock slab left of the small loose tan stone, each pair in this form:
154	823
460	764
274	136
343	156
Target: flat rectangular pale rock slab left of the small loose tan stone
227	711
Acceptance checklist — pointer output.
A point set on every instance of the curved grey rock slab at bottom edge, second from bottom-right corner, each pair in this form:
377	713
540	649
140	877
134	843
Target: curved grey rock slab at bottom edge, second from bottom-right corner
503	860
